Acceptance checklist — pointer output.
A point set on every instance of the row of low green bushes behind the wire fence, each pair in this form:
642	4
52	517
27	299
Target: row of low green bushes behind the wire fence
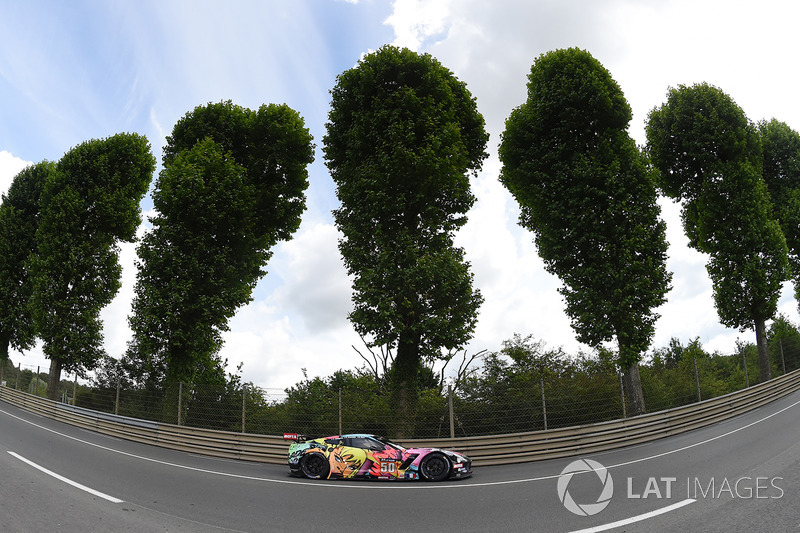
504	395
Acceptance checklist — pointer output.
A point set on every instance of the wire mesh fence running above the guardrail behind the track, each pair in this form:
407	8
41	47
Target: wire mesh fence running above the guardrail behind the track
526	401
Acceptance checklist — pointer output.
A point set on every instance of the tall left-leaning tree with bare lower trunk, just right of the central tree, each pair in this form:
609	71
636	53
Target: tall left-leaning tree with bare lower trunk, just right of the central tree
587	194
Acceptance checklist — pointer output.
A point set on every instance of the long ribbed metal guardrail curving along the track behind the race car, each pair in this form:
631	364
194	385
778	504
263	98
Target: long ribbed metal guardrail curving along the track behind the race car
487	450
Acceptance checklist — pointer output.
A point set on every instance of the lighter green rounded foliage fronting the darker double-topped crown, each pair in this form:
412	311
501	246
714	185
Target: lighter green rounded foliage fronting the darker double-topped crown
198	264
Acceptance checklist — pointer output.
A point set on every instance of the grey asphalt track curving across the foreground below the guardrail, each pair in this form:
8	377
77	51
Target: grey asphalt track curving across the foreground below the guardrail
740	475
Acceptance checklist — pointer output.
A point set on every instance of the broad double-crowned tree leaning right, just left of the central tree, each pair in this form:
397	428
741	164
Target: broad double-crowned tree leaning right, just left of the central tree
232	185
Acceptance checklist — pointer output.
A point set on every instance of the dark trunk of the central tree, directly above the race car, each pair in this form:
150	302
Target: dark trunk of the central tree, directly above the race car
404	387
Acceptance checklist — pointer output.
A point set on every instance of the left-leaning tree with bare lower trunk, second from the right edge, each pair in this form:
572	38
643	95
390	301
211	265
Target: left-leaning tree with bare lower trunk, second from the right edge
710	158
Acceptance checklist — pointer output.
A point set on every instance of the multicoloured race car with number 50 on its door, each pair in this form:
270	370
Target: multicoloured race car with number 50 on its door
369	456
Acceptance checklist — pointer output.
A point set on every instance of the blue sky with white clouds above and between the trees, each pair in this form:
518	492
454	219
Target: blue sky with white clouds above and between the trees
80	70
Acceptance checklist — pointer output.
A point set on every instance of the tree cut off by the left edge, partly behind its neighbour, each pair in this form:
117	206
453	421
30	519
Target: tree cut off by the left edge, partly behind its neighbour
19	220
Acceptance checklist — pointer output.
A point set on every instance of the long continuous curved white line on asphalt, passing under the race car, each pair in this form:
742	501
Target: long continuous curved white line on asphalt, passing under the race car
396	486
